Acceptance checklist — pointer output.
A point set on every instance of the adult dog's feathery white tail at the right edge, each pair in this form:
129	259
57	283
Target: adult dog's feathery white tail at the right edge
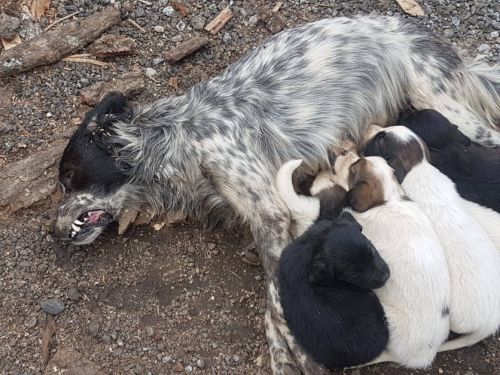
481	87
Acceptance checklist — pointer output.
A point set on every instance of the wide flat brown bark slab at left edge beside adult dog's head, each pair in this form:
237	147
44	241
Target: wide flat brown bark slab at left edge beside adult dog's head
30	180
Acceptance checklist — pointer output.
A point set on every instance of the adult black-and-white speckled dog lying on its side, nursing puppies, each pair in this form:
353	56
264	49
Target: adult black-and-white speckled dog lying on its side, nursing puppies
214	151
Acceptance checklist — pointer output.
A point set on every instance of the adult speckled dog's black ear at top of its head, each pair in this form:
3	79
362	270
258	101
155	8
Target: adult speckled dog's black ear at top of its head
112	107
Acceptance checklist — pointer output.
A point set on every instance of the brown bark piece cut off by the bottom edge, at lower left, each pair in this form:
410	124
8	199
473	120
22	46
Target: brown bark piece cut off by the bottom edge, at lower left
68	361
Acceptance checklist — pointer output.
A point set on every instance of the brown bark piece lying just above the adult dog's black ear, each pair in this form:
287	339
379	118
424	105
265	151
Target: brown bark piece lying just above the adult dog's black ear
127	84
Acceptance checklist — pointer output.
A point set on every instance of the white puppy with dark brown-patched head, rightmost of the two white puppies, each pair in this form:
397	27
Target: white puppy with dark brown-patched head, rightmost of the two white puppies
473	261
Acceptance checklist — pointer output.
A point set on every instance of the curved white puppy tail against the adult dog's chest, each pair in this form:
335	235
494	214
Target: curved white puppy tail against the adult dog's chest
304	210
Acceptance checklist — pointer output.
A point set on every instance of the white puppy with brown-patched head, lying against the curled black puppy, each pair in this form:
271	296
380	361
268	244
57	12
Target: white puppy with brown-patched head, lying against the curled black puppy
416	296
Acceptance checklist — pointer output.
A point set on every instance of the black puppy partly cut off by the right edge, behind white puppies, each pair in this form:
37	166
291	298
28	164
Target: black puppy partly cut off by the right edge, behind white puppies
475	169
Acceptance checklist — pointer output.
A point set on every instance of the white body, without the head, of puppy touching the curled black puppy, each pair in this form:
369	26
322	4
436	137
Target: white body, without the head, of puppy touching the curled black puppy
416	297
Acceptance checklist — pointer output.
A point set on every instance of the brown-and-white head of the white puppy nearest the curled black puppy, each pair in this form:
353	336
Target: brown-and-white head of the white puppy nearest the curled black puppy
372	183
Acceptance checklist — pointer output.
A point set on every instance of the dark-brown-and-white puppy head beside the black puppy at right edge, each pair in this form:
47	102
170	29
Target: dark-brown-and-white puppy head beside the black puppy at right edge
398	145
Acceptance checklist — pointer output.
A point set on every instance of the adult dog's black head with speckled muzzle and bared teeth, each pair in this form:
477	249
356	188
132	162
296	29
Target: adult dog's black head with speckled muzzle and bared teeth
90	178
